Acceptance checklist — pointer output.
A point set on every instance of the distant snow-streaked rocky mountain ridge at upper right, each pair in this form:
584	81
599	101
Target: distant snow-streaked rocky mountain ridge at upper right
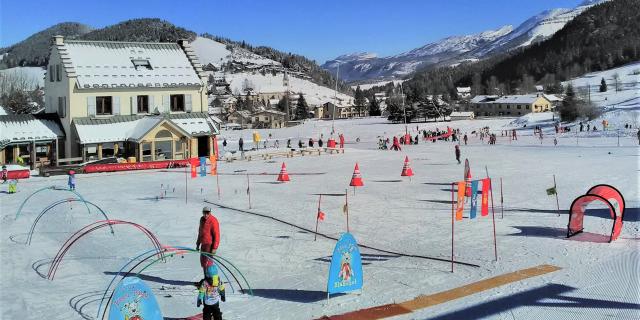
455	49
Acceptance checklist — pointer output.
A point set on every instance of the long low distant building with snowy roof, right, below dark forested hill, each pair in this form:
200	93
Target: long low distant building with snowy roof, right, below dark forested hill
511	105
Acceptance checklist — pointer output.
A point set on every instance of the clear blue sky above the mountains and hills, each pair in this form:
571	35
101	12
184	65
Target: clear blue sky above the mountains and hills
320	29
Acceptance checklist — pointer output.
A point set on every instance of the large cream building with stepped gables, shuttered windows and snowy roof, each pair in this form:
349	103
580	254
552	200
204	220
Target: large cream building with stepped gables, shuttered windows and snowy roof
137	100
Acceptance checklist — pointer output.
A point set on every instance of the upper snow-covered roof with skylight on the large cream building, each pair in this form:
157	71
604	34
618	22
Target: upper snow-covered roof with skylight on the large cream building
109	64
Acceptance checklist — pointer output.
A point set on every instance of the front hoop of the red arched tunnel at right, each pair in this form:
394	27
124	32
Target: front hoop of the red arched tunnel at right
576	215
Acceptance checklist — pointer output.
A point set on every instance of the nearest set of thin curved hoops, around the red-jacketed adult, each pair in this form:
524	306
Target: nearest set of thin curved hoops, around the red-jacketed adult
168	251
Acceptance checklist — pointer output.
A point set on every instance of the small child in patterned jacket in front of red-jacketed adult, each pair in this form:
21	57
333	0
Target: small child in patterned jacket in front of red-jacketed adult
210	292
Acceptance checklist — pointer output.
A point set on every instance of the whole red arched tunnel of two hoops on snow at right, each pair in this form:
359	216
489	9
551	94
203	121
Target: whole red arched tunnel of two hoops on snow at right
604	193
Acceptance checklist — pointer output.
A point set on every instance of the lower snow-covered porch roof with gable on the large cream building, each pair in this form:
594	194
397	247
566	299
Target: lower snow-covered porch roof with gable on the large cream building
135	127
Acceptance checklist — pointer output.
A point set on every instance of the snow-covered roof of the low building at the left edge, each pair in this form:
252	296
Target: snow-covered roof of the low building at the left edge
28	127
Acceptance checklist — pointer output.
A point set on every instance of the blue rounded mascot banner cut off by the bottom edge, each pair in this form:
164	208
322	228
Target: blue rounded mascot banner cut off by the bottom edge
134	300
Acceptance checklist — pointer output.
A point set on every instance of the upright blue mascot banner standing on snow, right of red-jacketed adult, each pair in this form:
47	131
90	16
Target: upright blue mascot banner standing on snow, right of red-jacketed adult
345	272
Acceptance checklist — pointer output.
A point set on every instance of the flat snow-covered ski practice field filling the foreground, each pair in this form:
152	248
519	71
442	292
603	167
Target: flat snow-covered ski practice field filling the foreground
287	269
